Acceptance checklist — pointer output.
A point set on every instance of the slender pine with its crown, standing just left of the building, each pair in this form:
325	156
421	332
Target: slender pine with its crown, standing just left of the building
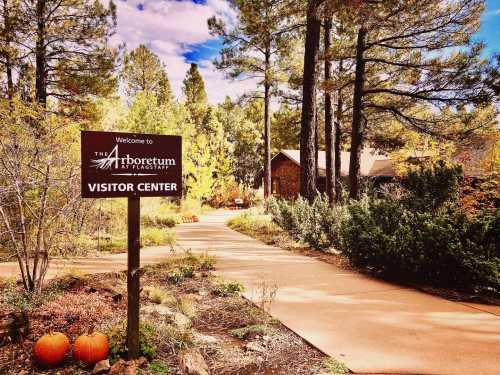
250	50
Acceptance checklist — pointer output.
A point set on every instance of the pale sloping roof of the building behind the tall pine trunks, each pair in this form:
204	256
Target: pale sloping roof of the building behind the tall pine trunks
372	163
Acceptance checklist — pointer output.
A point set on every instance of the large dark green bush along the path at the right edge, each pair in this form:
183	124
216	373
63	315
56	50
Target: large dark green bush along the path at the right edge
445	249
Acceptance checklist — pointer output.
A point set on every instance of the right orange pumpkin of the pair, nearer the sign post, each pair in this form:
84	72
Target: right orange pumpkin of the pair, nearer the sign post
91	348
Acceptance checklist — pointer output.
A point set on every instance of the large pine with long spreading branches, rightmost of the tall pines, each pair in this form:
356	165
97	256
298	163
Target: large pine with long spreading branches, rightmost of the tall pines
404	58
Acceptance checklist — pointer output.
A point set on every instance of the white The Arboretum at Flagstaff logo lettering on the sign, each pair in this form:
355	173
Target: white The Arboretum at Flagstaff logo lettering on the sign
112	161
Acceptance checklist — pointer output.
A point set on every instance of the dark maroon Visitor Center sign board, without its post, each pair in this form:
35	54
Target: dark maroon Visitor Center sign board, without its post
130	165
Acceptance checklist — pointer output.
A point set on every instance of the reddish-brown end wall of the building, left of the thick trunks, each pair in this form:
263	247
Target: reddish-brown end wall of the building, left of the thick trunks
285	178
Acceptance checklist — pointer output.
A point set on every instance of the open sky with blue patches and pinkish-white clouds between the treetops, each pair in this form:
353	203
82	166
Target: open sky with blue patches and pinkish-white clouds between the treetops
176	30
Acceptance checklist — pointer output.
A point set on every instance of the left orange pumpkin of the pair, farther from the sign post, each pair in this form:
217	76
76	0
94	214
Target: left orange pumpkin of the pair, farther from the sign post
51	349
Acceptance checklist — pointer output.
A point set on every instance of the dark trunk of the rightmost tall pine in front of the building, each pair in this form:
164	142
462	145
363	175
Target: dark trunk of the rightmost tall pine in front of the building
357	126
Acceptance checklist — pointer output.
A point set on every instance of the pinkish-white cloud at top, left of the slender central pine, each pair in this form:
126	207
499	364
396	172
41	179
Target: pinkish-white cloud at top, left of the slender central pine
167	27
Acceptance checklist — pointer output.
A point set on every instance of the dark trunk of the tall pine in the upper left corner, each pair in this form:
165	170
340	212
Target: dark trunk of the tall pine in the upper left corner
40	55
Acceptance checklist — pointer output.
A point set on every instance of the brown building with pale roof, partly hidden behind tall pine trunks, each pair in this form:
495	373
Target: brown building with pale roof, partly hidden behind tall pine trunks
285	170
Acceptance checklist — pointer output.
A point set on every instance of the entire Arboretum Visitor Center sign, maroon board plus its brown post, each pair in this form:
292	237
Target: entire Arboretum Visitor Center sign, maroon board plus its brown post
133	166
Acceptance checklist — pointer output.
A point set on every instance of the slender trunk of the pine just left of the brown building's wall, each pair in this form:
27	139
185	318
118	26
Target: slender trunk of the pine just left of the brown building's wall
267	126
